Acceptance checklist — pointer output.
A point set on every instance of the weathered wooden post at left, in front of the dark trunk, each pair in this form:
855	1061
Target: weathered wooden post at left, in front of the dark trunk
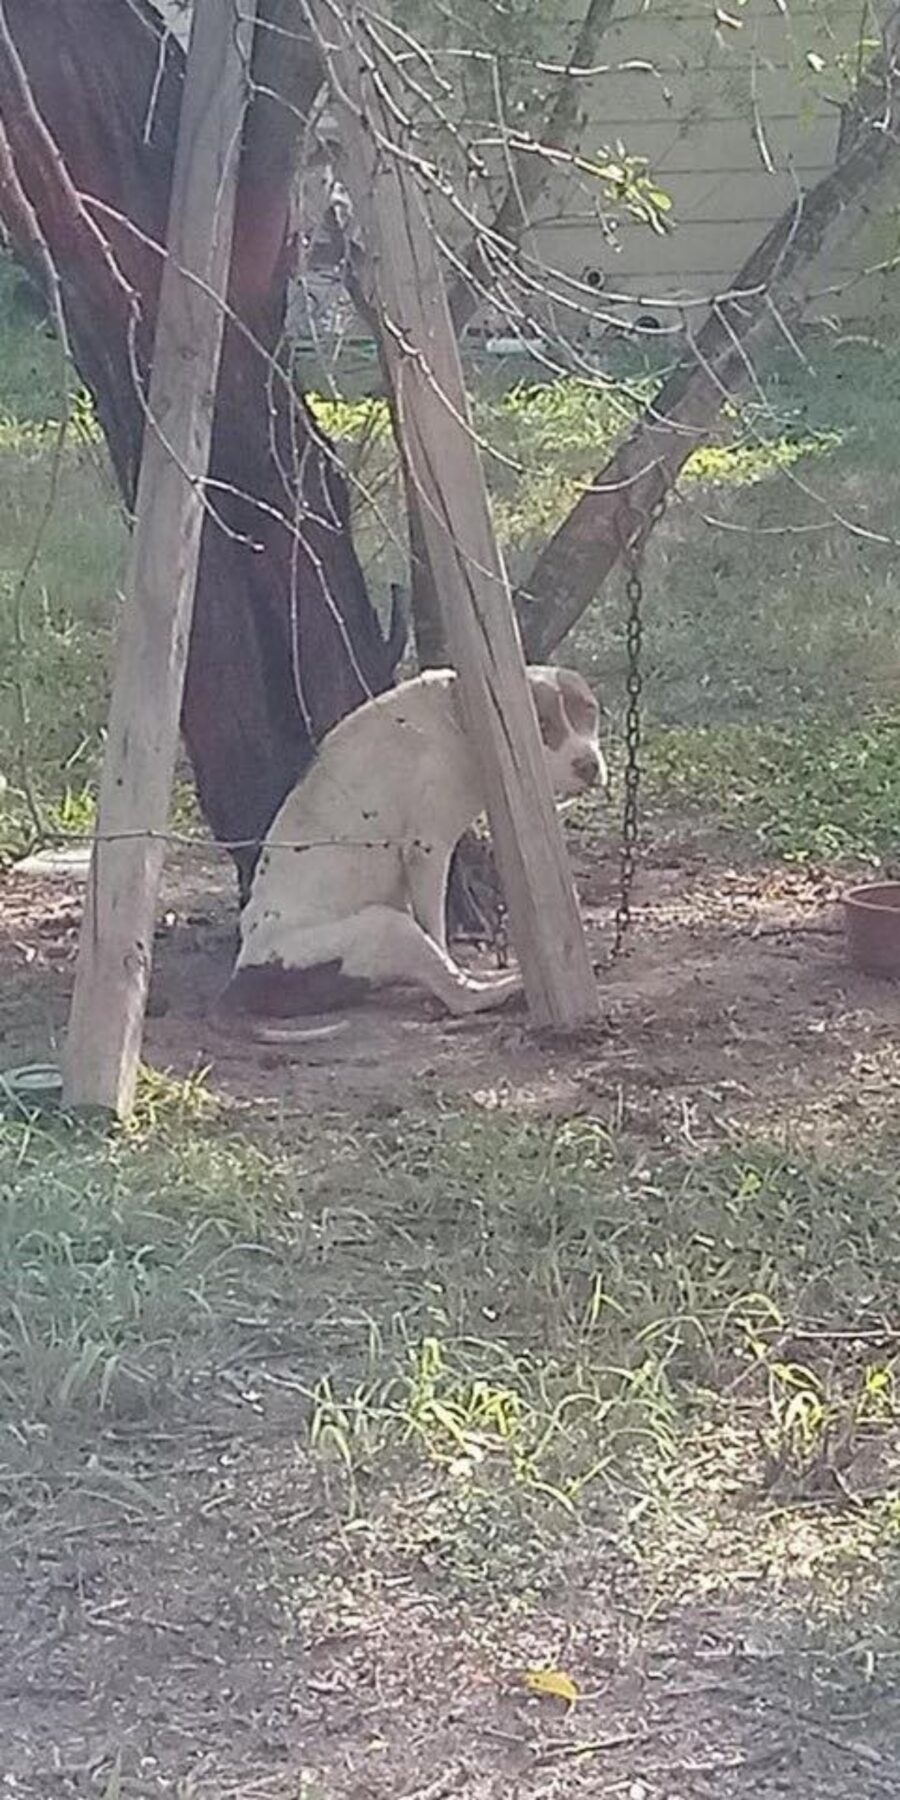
116	948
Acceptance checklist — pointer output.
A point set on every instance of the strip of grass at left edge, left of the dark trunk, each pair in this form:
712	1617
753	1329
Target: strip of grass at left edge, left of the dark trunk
62	546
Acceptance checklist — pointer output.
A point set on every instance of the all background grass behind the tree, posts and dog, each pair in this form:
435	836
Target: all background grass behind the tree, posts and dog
775	570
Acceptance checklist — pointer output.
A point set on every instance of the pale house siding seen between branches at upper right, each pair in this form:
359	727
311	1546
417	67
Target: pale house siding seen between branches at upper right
735	123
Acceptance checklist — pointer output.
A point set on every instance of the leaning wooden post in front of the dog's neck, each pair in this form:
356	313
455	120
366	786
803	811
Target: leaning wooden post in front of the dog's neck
471	575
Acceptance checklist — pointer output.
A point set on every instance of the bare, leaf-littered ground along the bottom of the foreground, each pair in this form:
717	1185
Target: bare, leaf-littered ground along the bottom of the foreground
260	1651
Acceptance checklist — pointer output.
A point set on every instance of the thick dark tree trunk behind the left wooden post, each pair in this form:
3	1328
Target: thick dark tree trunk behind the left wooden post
285	640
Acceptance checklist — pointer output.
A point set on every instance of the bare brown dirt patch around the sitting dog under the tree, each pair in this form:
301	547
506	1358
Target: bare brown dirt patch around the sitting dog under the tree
735	998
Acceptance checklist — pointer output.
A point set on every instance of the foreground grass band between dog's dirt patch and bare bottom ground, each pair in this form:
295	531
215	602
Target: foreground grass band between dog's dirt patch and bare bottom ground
544	1320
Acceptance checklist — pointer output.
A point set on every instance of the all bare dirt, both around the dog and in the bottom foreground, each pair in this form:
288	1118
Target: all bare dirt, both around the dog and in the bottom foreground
195	1614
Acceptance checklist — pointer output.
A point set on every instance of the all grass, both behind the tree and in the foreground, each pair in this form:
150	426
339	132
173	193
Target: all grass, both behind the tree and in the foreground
494	1342
